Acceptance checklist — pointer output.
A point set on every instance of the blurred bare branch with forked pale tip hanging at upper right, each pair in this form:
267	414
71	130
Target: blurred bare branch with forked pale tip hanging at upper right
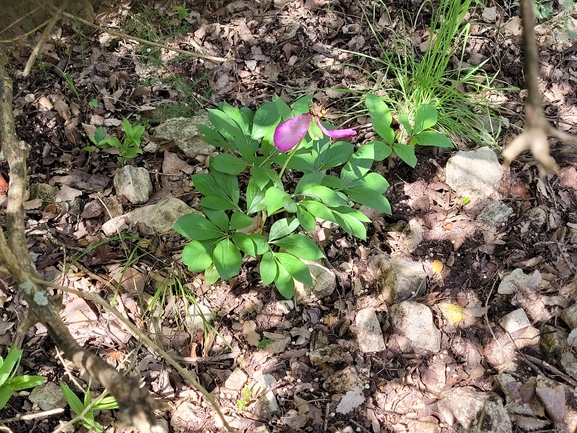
537	127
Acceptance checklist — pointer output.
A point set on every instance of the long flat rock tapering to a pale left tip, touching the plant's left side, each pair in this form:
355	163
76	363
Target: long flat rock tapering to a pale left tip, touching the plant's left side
159	217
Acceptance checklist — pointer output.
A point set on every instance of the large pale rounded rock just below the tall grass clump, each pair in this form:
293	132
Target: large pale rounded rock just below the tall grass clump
474	173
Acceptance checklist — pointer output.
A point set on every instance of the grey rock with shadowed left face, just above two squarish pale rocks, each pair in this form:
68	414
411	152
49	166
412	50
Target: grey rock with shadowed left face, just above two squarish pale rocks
400	279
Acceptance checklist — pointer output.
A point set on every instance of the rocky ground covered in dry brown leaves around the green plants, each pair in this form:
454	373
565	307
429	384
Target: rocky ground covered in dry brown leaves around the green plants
456	314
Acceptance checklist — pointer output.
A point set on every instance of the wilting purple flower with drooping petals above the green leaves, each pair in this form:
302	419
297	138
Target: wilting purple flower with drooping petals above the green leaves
289	133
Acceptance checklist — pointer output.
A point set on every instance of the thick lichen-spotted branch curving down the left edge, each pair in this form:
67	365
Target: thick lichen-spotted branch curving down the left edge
137	405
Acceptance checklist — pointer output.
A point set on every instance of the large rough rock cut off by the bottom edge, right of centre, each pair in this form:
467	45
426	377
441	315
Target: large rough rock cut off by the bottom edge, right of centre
463	409
